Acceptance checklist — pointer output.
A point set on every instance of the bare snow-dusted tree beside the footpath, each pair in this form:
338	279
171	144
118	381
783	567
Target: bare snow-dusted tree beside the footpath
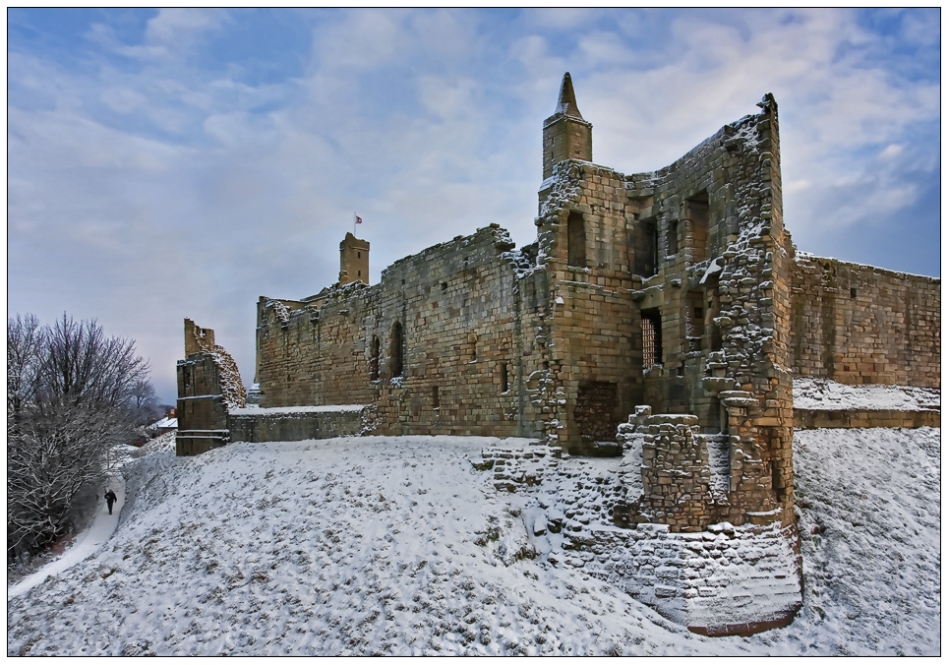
77	394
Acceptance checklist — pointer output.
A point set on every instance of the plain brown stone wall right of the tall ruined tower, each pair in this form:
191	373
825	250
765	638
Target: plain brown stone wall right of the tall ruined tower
858	324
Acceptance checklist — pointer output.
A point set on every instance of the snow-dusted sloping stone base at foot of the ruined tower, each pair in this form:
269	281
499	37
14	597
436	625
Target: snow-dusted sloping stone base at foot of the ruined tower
727	580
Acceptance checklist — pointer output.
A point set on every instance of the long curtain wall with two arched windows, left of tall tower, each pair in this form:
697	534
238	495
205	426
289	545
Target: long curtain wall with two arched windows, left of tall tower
469	315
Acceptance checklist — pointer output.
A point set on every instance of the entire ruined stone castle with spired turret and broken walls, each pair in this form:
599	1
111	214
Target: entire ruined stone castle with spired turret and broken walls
659	317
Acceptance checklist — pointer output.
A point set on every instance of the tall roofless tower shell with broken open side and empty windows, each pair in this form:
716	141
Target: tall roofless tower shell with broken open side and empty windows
696	252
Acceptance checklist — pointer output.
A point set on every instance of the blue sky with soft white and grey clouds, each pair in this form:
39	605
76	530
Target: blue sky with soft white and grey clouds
182	163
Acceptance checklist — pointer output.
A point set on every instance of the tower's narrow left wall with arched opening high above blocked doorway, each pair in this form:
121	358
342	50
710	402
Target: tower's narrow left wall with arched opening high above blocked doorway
593	328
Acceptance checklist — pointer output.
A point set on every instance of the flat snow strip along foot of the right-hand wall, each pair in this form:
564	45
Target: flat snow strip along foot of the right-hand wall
826	394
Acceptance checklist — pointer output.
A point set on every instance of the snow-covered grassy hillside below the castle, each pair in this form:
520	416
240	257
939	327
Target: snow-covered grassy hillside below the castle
399	546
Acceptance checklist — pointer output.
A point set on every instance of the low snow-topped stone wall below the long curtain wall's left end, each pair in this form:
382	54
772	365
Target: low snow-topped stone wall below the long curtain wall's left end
289	424
